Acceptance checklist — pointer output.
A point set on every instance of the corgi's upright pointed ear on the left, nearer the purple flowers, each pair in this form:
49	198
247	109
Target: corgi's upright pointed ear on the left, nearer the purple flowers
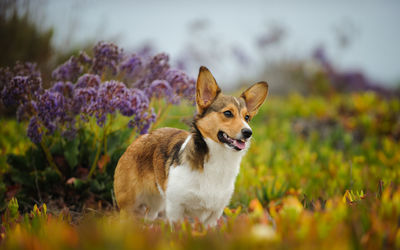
206	89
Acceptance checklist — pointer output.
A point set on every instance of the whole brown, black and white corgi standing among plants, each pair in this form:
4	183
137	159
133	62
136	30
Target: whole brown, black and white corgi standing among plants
178	174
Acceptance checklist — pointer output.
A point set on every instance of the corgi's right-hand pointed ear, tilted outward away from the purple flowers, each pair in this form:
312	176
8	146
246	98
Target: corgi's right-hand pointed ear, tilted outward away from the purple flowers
255	97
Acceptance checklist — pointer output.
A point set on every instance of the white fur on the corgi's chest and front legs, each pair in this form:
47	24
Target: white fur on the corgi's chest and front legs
203	194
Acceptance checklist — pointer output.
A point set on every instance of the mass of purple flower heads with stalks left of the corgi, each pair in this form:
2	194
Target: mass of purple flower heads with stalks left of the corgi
97	87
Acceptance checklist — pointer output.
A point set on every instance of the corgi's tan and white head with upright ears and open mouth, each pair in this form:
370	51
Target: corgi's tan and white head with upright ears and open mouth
224	119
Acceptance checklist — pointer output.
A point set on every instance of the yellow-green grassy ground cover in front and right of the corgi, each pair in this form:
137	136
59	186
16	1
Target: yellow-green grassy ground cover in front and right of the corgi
322	172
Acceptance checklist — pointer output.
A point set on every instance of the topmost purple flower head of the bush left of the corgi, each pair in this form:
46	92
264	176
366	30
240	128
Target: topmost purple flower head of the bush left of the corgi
106	56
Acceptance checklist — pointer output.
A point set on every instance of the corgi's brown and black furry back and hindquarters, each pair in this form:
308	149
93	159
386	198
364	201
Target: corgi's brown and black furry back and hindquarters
143	169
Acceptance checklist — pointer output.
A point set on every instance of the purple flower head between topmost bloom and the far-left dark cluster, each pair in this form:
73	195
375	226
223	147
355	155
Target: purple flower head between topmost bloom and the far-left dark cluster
69	71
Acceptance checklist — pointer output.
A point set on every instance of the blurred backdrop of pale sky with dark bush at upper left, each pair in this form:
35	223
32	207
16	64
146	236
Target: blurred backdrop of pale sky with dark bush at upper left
286	43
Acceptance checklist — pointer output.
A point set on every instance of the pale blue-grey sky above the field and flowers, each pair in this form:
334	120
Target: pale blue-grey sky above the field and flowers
374	27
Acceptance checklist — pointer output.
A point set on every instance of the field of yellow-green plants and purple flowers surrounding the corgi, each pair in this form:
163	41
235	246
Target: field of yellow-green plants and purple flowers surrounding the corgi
323	170
